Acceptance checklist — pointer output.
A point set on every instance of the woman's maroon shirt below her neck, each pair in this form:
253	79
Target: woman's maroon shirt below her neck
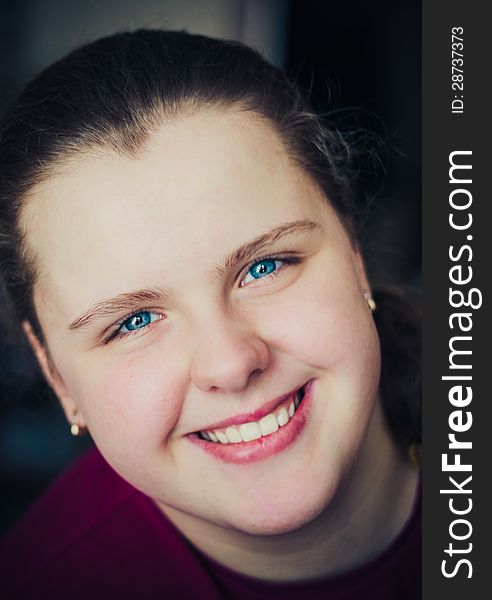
93	536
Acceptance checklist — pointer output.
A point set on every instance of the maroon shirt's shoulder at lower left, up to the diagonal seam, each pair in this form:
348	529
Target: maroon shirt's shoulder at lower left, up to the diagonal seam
93	535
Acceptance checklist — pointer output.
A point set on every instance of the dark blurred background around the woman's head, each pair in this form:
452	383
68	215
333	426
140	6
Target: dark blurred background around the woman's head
350	54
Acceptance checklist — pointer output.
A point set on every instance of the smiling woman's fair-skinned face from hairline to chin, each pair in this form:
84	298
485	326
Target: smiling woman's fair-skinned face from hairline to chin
196	288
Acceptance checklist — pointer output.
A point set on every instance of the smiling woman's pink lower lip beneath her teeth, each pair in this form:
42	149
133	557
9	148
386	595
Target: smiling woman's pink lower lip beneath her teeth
242	453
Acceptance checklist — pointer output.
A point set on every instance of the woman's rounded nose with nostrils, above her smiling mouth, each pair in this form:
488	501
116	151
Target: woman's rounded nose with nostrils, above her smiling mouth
226	357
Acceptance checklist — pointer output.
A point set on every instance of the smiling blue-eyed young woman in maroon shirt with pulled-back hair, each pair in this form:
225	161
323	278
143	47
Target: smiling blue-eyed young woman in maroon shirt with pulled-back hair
178	239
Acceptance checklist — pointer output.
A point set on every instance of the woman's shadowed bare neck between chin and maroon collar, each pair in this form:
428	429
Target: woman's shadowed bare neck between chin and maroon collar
369	510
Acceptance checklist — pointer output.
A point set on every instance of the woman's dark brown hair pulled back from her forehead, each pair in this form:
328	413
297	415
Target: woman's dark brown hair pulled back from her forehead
111	95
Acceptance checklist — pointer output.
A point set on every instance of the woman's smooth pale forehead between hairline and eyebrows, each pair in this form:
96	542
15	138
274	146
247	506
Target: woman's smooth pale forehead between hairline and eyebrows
203	184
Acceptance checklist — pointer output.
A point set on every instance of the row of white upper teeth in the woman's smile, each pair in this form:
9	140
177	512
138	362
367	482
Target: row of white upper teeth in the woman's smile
256	429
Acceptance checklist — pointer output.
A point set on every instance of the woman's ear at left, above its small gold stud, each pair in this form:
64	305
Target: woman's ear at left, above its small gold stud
52	376
